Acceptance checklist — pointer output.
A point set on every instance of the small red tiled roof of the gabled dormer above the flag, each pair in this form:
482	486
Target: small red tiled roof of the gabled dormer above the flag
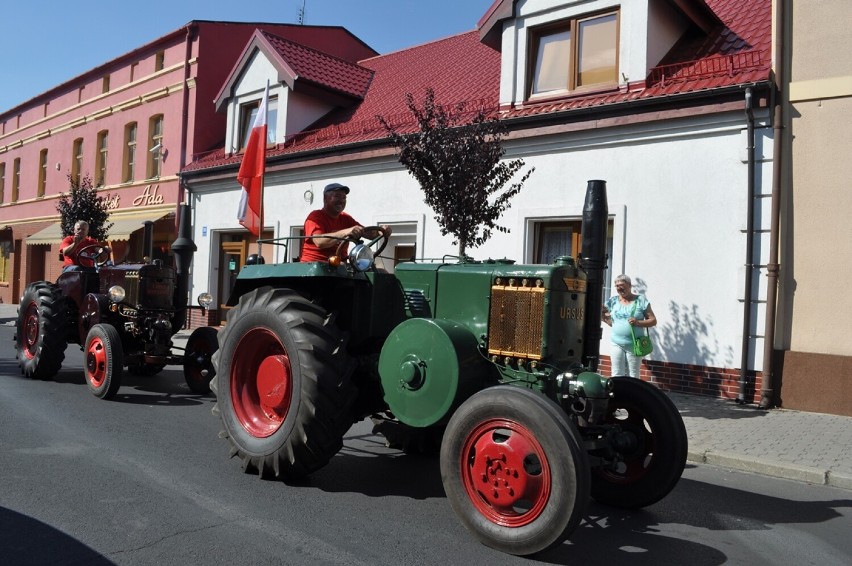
320	68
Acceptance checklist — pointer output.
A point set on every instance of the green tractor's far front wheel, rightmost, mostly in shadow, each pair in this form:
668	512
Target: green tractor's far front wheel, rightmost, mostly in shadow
652	469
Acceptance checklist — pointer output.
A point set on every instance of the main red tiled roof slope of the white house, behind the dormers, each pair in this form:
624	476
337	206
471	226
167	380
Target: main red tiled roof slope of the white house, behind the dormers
462	69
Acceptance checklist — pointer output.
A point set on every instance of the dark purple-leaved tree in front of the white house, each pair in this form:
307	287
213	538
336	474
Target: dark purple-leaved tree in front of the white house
456	156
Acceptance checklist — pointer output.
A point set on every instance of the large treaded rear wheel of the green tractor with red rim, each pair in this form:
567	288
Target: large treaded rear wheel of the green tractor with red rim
304	429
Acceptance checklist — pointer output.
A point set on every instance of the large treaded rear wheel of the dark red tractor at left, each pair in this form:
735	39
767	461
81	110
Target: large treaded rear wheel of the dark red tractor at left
40	337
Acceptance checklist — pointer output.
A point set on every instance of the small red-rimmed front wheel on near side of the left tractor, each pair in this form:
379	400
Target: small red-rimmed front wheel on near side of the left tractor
103	362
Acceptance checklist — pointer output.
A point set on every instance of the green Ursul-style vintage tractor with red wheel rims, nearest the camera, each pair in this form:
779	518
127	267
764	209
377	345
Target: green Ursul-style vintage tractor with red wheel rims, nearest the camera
490	362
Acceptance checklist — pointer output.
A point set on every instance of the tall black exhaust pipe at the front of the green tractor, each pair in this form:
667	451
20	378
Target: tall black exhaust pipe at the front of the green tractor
593	258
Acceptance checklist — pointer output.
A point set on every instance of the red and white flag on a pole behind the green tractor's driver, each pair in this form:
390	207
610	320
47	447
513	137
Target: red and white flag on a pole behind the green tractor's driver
251	172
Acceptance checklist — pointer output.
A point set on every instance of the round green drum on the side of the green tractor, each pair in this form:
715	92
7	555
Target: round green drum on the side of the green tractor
429	367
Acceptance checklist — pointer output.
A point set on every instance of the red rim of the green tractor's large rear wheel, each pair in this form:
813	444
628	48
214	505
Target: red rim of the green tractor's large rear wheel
261	382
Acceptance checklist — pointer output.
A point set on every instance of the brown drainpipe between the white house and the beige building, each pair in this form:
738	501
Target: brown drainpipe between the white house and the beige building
767	391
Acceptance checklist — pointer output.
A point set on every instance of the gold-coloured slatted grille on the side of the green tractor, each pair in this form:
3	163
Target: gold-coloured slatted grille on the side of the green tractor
516	322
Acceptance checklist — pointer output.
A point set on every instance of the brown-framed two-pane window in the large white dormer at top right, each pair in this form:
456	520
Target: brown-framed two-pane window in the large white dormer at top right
573	54
